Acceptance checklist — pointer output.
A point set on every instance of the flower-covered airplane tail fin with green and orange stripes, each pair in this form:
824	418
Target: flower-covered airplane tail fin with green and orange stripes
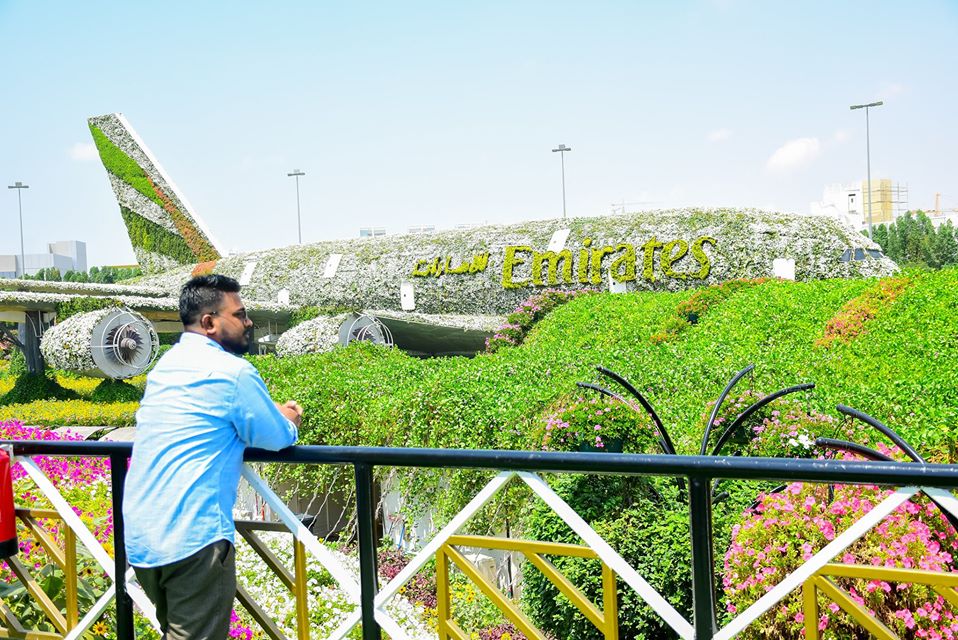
163	228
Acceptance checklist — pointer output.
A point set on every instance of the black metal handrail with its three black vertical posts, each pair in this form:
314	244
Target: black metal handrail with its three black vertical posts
699	471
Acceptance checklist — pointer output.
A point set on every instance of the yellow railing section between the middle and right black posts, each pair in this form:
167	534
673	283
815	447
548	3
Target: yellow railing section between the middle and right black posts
606	620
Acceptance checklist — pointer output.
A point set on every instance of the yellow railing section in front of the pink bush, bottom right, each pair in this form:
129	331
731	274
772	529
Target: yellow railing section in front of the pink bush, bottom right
944	584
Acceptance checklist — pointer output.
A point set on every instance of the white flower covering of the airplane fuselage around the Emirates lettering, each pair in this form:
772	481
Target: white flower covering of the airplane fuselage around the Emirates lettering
372	270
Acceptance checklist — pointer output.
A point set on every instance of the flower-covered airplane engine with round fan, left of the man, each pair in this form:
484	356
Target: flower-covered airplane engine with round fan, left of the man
112	343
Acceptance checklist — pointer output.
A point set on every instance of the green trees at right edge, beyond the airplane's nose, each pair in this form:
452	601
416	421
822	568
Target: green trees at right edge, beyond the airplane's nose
912	239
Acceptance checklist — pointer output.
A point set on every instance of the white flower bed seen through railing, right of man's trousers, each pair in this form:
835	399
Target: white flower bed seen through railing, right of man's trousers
328	606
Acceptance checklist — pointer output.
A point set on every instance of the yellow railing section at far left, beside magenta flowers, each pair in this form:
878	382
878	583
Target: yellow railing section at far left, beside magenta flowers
63	557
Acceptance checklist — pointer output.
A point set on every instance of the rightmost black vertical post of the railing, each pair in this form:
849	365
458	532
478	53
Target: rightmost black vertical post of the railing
703	584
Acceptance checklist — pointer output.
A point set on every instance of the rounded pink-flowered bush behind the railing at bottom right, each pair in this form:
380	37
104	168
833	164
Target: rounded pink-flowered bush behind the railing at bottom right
788	528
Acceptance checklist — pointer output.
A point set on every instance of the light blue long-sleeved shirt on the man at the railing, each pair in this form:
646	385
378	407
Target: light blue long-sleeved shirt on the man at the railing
202	407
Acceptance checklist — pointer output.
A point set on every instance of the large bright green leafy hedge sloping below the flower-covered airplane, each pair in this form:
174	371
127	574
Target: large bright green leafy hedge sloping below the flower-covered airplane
903	369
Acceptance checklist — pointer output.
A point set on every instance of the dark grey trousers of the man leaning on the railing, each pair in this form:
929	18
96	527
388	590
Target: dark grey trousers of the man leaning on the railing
194	596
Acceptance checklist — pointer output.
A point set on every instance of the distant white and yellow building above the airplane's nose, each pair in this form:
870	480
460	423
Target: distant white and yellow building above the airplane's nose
850	202
